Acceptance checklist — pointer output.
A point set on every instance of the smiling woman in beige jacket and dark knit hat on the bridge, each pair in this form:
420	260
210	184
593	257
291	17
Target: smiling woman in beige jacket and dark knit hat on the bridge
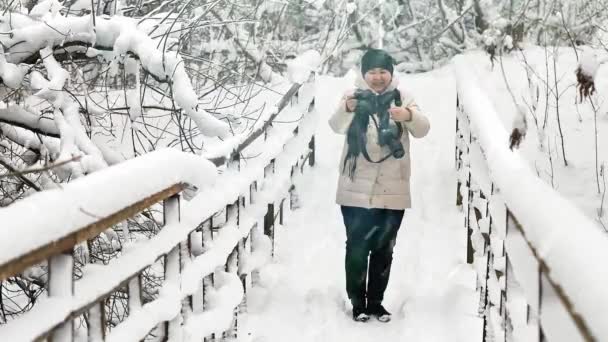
374	187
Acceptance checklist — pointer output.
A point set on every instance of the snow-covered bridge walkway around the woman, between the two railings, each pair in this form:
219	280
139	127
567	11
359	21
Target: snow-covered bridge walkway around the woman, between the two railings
432	295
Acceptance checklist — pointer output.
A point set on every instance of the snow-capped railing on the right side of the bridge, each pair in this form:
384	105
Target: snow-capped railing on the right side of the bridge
539	259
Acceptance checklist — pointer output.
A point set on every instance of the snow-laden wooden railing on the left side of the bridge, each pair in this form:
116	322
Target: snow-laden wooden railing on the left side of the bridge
210	247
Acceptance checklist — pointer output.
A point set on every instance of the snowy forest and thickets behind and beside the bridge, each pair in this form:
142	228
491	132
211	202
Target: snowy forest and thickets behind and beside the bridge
87	84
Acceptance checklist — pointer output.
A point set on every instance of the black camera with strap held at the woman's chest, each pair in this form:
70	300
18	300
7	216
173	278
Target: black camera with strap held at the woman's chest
389	134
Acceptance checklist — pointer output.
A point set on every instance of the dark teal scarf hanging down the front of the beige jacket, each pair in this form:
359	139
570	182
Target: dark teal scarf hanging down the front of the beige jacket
356	136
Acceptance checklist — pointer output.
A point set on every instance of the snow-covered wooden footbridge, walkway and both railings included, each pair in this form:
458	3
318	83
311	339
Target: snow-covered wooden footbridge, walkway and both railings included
254	252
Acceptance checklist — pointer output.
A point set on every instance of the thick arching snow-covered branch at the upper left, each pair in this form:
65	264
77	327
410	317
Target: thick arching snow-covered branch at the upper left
120	34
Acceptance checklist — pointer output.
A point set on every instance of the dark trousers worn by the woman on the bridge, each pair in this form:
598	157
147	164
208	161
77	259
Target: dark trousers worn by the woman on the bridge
370	233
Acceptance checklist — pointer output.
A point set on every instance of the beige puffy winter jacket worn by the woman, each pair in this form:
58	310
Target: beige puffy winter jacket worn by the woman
378	185
